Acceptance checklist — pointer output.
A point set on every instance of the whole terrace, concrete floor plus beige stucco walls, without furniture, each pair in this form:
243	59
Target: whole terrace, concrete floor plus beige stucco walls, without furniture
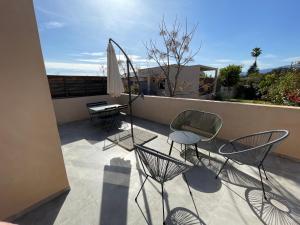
103	184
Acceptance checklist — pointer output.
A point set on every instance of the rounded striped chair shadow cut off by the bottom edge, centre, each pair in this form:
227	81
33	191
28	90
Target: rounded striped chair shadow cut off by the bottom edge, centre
182	216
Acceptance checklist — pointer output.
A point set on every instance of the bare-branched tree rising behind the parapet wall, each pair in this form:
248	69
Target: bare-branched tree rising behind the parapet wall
175	51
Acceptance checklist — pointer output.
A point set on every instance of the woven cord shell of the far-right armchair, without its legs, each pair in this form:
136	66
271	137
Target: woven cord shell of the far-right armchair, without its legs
255	147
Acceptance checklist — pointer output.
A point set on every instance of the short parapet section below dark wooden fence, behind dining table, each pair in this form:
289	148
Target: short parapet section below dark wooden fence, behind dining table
72	109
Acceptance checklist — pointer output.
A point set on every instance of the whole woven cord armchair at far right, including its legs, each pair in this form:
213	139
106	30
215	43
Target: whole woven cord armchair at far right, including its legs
253	150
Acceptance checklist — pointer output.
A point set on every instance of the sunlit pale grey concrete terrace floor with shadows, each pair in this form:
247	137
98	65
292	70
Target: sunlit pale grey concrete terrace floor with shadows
105	183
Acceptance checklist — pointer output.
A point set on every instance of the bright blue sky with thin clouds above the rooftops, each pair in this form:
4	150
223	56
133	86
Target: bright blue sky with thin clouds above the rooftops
74	33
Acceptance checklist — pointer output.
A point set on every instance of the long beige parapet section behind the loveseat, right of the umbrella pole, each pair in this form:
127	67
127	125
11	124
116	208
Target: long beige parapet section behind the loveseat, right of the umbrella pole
238	118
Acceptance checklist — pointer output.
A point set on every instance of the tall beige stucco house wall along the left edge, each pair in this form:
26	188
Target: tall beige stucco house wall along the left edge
31	162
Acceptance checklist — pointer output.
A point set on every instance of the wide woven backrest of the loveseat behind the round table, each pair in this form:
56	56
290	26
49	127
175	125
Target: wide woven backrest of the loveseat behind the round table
203	123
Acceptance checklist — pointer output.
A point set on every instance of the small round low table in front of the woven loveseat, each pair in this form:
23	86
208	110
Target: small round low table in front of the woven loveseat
185	138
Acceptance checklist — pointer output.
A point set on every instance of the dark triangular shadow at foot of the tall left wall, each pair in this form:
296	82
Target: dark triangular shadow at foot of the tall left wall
45	214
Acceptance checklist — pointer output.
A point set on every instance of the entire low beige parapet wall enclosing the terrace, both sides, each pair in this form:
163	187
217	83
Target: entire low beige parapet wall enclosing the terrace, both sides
238	118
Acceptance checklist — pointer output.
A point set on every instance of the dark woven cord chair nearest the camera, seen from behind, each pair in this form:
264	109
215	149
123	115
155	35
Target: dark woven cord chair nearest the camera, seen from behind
161	168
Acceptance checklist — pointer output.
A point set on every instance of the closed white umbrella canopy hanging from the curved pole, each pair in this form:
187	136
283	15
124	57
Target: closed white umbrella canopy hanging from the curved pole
114	82
